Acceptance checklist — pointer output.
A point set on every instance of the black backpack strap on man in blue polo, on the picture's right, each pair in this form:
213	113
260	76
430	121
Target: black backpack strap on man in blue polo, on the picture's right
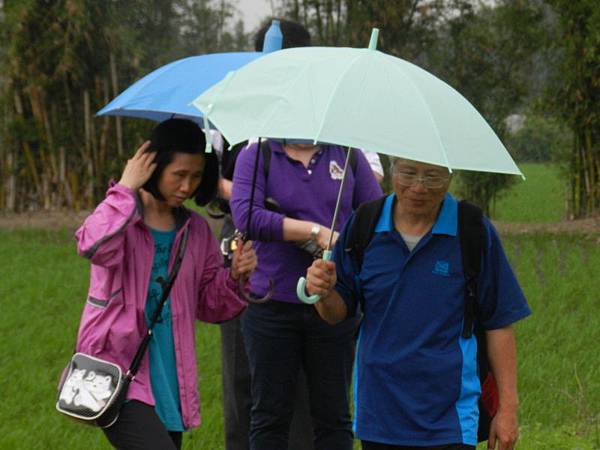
471	234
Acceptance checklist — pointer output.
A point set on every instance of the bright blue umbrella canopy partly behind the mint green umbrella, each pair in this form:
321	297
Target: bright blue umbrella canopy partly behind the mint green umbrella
167	91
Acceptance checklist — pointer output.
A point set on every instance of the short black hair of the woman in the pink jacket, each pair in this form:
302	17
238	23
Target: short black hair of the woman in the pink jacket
182	136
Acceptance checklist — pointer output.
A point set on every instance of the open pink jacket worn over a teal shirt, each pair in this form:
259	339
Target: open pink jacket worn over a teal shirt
120	247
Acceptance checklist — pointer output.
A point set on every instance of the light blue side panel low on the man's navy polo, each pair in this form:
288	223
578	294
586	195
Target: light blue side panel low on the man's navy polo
466	406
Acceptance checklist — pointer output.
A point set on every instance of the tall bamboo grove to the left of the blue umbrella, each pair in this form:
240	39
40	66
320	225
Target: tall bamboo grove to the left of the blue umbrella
63	60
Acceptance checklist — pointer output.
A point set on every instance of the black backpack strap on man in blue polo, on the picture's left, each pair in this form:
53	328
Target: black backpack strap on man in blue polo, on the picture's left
362	229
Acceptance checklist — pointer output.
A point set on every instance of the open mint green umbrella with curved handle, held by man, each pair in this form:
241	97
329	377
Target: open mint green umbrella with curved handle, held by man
359	98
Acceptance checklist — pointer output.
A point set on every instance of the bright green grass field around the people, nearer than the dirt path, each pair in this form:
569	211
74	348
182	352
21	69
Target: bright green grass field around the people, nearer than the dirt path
43	286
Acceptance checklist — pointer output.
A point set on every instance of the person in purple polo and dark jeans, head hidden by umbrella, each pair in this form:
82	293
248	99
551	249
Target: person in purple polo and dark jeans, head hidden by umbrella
283	335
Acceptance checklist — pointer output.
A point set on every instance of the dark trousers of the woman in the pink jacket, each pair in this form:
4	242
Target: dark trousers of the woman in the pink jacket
139	428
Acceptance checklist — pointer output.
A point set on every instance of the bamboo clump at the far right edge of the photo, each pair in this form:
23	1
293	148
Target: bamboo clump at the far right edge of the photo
575	95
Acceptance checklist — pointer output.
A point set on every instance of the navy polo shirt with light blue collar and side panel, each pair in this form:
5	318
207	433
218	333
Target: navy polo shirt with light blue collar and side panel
416	380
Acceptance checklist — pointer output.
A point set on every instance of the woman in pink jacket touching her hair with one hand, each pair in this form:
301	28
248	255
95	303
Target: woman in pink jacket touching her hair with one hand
131	239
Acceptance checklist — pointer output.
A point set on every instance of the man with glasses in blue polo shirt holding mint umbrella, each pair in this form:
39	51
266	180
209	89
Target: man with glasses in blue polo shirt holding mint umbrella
416	381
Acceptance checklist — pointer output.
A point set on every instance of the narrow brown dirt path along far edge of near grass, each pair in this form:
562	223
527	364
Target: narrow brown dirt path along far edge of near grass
70	219
